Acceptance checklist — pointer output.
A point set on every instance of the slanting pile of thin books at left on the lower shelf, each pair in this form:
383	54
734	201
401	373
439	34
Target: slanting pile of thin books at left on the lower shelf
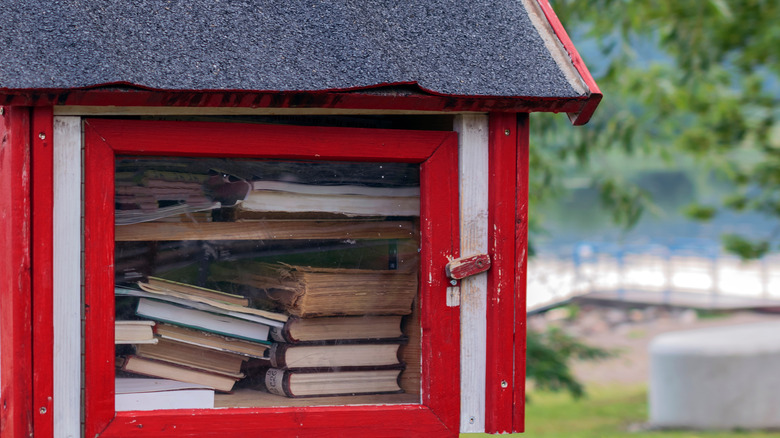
200	335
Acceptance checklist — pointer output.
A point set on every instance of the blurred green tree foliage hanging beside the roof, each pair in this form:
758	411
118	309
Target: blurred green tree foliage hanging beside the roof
693	78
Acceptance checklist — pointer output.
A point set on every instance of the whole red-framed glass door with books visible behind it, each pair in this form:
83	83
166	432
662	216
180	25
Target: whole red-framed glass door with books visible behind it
250	274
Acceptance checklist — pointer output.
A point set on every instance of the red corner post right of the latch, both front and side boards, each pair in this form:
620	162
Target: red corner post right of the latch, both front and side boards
507	245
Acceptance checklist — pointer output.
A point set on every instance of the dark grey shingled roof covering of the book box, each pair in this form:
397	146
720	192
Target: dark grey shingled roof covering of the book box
447	47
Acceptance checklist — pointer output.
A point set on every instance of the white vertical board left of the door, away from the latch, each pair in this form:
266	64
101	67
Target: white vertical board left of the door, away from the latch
66	293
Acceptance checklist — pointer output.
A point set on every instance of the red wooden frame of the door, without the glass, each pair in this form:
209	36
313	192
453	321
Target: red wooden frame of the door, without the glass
437	151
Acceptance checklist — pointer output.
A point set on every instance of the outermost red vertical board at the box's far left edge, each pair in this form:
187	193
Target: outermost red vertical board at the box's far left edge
16	418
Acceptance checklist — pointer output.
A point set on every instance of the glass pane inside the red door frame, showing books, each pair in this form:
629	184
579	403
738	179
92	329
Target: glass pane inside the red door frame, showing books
265	283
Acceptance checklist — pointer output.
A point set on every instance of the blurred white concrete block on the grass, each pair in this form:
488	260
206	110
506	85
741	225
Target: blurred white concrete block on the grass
716	378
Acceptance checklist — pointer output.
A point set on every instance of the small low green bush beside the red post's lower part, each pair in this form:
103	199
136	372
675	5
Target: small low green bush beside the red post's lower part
549	355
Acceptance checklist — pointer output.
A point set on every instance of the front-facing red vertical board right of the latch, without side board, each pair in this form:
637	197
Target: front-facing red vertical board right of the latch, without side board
502	139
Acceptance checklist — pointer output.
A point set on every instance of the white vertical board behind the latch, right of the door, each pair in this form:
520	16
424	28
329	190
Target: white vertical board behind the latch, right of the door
473	171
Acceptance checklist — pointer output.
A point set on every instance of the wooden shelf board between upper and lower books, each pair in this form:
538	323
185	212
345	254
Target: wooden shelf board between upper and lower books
266	230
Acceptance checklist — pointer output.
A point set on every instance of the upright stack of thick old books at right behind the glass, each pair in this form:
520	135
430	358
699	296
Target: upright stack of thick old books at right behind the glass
344	332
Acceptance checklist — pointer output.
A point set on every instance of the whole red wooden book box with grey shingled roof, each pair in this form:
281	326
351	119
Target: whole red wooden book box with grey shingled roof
264	218
